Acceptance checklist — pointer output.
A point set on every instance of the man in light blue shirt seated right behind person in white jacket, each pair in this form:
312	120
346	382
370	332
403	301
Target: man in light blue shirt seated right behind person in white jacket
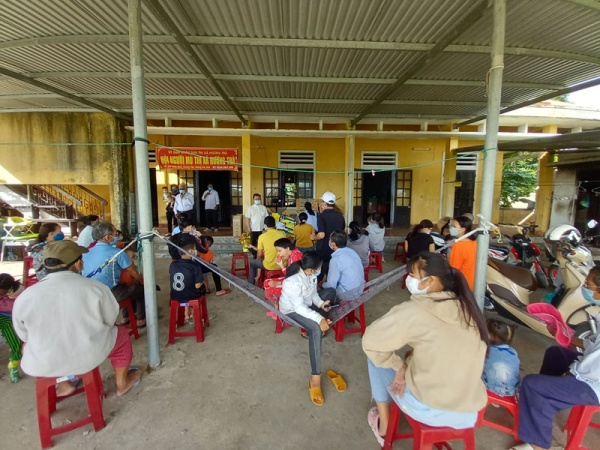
345	277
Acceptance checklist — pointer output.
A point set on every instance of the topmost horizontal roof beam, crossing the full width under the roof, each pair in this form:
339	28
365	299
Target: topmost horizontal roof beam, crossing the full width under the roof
296	43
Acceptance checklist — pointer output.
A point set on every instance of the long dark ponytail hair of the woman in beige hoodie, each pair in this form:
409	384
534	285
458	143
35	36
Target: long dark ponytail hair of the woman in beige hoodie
433	264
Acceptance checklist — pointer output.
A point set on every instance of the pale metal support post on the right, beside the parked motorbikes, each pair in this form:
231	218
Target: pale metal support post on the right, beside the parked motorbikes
491	142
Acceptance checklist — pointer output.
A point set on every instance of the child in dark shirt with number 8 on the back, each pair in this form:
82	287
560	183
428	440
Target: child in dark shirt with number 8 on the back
186	275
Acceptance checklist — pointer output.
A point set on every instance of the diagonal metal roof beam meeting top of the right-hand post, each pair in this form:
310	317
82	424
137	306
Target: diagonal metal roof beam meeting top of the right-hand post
460	27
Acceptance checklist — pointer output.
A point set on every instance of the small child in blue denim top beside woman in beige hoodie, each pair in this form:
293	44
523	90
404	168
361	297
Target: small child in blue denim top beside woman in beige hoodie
501	368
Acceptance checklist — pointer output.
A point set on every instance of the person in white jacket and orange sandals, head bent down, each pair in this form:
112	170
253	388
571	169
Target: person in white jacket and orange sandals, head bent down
300	301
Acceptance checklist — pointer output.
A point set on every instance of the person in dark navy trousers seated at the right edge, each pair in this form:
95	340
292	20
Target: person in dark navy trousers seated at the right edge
543	395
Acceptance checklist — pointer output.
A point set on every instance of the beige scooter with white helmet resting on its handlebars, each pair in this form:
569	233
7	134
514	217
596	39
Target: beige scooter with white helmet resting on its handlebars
509	287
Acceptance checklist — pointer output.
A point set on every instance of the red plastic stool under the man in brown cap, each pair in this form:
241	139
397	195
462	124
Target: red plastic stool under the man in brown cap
45	389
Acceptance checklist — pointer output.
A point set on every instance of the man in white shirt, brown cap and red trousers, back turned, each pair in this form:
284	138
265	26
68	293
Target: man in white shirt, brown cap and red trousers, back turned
68	323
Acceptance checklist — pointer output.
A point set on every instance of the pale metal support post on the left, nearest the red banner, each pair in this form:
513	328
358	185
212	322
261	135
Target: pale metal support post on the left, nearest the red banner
142	176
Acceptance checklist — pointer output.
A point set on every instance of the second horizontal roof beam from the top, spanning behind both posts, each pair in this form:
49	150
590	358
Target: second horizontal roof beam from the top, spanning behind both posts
289	79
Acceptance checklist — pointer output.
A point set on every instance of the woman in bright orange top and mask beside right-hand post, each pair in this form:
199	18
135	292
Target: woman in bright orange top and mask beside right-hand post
463	254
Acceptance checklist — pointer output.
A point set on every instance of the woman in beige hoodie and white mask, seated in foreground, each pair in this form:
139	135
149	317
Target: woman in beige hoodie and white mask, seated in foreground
440	385
